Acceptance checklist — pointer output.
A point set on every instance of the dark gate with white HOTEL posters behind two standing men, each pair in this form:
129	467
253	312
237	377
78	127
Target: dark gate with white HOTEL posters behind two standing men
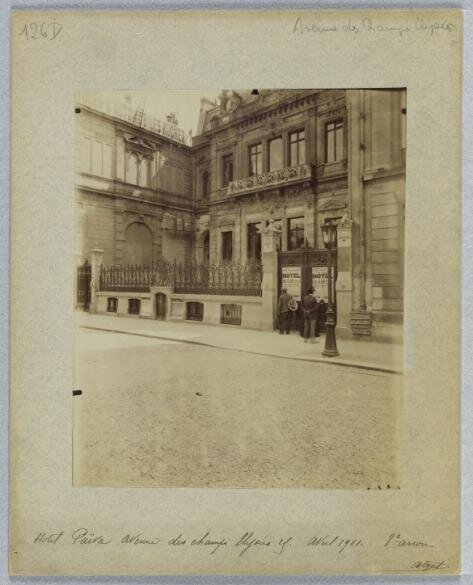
298	270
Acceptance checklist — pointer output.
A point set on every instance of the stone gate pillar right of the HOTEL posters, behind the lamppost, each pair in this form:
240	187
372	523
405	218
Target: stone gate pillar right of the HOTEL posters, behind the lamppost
344	285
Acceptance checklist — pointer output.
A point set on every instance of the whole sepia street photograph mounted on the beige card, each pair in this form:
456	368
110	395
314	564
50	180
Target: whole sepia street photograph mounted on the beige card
239	288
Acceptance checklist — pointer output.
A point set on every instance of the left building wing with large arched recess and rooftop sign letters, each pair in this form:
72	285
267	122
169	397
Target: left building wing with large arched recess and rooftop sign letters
134	190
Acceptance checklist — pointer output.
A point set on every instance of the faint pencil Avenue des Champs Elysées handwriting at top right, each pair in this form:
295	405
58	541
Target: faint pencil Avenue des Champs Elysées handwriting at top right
370	26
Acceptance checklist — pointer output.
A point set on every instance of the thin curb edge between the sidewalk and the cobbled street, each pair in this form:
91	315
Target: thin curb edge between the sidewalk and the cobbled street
337	362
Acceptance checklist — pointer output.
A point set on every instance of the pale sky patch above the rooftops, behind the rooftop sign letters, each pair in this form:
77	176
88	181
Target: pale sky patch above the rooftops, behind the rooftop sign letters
186	103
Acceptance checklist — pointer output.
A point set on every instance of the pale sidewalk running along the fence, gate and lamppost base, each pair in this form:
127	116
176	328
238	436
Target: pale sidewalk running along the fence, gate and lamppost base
361	353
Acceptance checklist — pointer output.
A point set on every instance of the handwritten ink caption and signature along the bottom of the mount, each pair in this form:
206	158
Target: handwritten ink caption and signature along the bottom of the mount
242	544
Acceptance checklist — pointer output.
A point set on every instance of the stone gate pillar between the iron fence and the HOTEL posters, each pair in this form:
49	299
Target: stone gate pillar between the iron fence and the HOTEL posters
269	285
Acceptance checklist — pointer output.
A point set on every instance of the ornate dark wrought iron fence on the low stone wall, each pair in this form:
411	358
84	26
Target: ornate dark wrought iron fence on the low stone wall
229	278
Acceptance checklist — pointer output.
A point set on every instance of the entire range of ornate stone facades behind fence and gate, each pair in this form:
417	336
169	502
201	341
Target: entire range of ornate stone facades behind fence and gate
297	158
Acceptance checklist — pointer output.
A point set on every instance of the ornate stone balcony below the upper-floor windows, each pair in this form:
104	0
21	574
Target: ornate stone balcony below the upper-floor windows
272	179
